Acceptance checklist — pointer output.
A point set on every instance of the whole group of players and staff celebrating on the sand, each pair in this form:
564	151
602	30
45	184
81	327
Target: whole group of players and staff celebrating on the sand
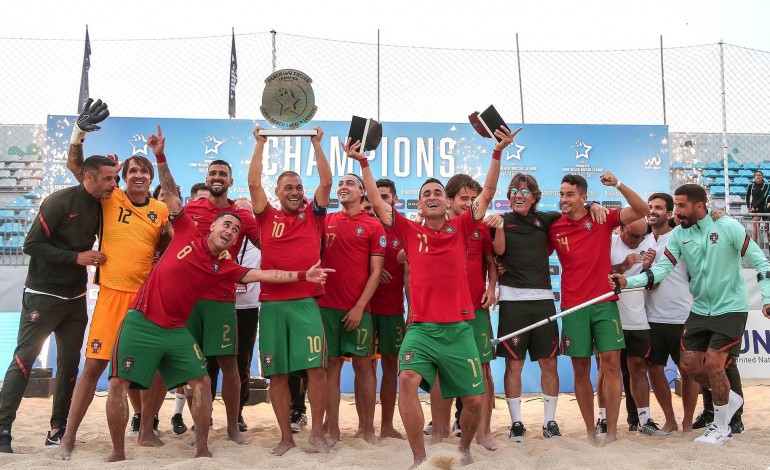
324	287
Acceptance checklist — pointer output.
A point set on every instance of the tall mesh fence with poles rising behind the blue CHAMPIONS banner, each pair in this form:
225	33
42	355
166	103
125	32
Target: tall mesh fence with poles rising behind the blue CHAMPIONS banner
715	98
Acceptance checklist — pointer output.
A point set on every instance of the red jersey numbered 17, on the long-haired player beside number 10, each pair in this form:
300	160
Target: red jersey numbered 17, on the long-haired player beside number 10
348	242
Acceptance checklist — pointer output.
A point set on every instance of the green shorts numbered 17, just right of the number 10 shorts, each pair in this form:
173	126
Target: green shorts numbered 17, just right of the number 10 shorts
339	342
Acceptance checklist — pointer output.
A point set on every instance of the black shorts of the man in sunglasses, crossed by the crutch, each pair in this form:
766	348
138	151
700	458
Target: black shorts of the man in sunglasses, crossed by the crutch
542	342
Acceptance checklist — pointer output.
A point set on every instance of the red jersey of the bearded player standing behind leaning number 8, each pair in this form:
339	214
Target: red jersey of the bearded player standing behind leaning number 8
204	213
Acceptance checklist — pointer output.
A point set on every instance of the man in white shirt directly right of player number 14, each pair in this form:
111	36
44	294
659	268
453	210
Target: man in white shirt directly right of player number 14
629	258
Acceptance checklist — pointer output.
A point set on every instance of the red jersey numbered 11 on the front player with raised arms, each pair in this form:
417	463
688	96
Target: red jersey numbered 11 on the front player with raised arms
438	283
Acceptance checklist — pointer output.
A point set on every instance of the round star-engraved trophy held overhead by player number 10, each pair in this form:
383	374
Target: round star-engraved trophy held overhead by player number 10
288	102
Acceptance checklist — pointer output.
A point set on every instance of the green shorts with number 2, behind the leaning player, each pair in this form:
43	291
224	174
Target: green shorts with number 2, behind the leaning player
214	326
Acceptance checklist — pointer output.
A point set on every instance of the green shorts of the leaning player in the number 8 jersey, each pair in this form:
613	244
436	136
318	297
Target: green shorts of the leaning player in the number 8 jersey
143	347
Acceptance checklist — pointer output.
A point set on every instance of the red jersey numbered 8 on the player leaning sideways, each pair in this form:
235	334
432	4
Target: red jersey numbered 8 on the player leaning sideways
186	268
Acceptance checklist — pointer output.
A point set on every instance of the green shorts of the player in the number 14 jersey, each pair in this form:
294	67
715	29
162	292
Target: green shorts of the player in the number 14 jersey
596	326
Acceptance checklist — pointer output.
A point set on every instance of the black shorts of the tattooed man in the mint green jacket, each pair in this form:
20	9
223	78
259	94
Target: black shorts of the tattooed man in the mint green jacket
720	332
